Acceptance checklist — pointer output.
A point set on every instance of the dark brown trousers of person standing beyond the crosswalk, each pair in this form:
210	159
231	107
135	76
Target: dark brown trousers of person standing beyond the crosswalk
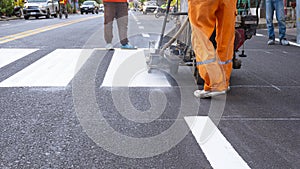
118	10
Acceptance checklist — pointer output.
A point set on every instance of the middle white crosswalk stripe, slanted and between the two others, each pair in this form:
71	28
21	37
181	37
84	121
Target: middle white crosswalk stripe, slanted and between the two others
55	69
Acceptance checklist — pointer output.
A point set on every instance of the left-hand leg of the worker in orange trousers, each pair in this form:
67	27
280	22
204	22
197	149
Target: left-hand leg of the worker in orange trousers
202	18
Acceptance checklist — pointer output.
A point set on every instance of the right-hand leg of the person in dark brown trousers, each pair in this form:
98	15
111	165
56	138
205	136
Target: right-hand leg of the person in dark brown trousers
122	21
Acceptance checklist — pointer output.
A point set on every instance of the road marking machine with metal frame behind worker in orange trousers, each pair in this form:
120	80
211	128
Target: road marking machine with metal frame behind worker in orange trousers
174	48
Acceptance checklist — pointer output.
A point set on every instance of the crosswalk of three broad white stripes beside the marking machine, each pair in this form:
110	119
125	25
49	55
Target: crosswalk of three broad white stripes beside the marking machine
57	69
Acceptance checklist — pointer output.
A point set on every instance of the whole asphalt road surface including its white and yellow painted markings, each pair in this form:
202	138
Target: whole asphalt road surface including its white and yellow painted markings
66	102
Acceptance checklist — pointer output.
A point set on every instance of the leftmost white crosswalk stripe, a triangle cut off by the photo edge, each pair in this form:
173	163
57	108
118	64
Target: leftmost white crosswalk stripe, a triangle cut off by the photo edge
8	56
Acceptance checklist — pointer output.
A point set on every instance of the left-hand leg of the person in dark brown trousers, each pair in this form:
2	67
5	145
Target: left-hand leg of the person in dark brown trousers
109	15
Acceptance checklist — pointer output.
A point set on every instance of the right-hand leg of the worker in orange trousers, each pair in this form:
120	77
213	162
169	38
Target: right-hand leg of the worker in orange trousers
226	15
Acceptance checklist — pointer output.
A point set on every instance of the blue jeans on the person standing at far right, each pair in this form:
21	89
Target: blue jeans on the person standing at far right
277	6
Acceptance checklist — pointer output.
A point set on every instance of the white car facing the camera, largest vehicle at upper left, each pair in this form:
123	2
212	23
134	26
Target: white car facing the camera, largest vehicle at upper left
37	8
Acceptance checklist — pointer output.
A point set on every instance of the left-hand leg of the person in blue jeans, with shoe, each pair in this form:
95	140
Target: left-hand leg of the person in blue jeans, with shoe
269	18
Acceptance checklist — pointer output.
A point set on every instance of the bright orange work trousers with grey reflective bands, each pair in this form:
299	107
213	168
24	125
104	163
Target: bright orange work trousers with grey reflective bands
214	65
